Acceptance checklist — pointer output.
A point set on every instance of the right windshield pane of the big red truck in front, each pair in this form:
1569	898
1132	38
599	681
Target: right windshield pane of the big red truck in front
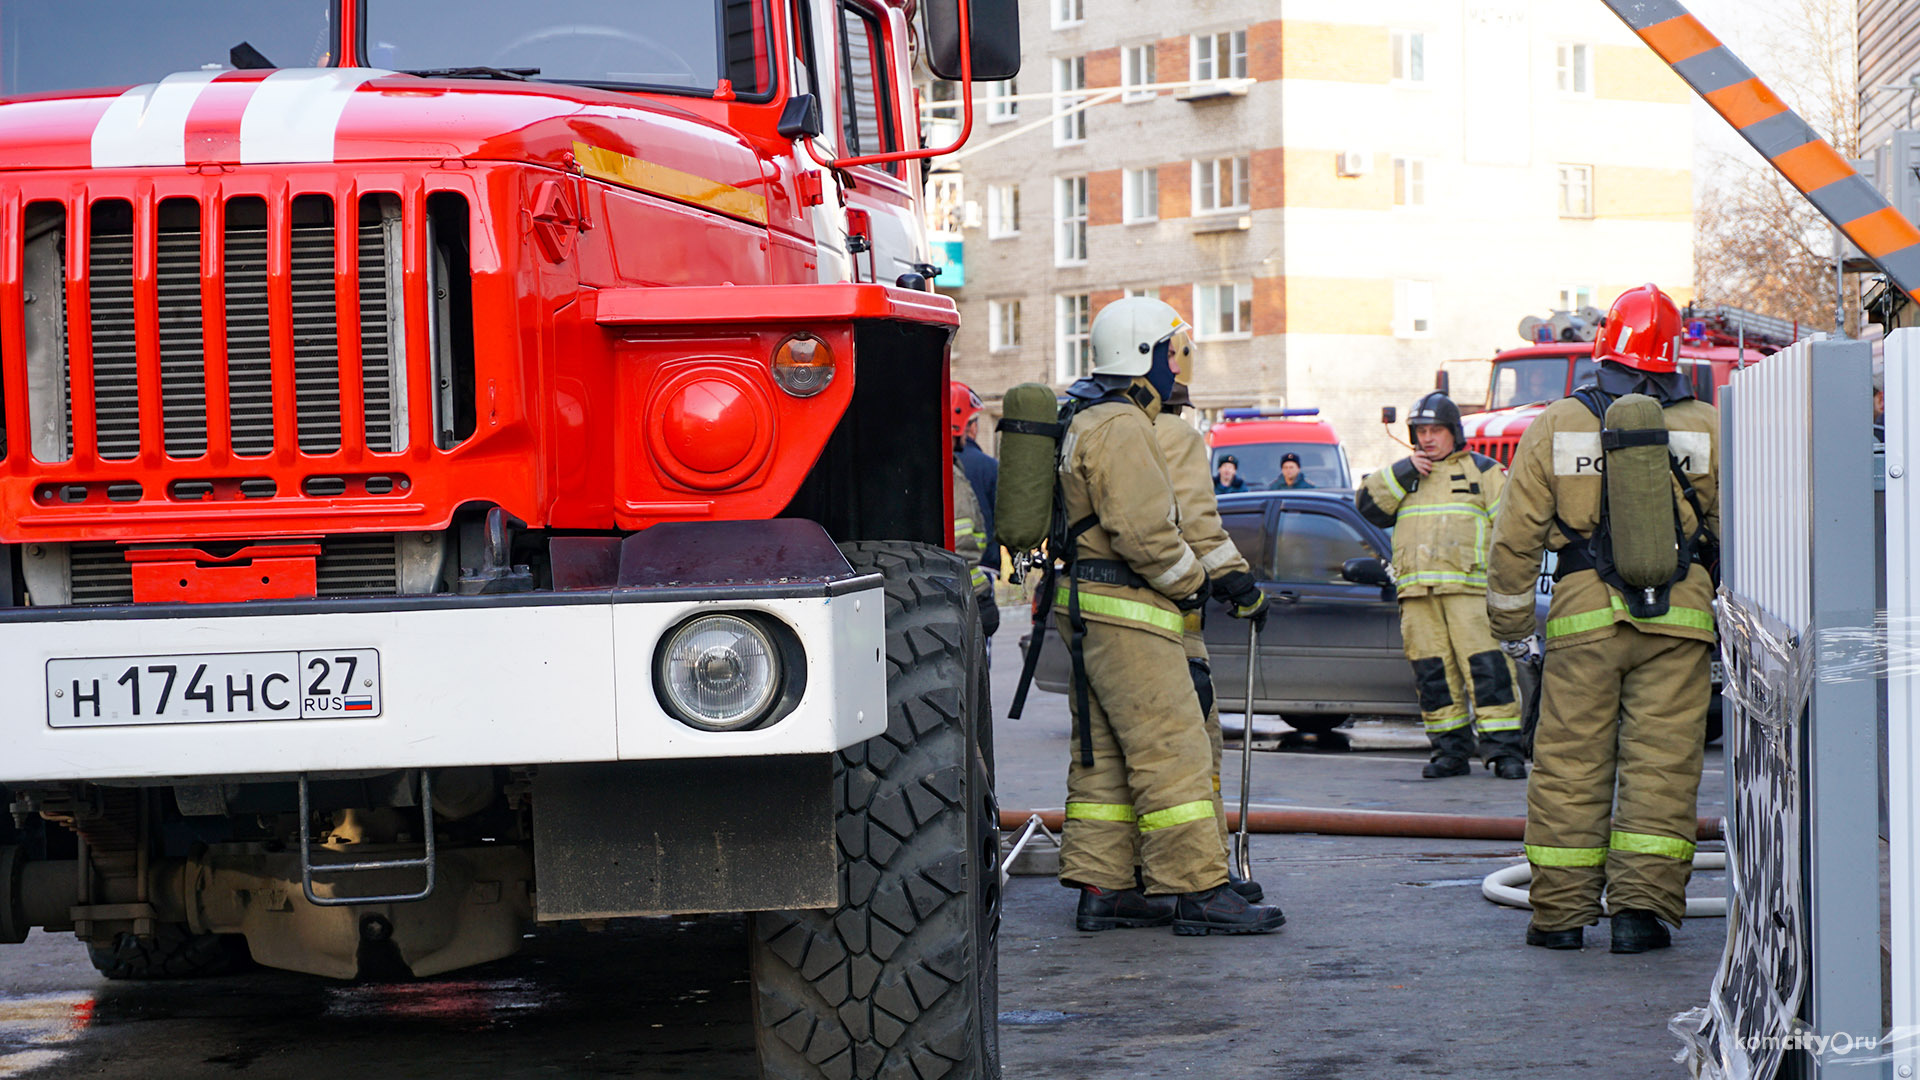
625	45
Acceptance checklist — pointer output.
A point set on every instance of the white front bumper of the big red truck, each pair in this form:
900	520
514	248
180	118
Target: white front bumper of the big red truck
519	679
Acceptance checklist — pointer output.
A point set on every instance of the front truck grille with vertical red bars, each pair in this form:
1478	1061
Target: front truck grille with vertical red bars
145	289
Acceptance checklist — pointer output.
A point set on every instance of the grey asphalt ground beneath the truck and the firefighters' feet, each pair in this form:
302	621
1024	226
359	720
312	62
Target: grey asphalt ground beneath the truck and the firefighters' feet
1391	966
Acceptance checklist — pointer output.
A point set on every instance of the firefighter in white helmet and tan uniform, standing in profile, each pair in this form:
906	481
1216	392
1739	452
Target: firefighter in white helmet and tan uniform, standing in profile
1141	777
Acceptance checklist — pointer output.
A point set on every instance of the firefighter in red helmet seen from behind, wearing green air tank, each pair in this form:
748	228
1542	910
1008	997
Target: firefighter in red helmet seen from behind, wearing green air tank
1623	712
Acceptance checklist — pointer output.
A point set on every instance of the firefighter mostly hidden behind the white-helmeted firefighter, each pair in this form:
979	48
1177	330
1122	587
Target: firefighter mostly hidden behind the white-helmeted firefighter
1188	456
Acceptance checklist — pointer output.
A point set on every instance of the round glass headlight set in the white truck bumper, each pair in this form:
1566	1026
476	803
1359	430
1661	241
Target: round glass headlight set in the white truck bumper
719	674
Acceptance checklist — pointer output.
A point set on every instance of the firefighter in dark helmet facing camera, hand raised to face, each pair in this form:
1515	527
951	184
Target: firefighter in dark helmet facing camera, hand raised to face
1441	504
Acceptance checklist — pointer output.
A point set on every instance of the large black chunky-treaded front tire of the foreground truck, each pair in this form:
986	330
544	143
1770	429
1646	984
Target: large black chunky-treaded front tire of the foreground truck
903	979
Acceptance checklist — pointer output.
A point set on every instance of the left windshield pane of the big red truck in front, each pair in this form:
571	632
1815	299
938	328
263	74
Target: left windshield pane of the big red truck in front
78	45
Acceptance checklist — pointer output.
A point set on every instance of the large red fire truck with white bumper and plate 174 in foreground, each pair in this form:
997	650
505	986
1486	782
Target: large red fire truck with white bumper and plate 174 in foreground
469	466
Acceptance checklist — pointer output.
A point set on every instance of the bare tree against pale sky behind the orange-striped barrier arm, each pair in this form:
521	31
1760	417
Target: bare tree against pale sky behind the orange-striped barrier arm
1758	243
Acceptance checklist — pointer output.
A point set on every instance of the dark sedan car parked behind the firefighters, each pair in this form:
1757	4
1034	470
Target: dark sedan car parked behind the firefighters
1332	649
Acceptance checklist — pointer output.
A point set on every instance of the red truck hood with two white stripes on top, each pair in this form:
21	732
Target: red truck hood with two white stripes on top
364	114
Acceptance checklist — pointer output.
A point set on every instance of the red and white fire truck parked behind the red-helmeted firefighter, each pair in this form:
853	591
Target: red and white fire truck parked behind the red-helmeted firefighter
1525	381
